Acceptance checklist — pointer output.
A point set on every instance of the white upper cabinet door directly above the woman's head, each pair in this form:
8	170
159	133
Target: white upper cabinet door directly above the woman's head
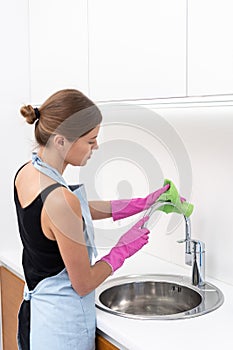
58	47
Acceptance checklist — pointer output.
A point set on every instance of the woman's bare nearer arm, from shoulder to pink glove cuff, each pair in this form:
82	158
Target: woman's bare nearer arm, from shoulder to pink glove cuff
65	222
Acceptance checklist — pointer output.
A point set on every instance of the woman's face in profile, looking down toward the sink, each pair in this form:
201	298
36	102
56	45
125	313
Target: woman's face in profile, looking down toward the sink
81	150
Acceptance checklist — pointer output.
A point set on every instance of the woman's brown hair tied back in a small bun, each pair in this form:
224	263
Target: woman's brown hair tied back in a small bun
67	112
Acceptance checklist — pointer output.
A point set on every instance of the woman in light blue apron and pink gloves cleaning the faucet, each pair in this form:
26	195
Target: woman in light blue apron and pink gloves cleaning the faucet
55	225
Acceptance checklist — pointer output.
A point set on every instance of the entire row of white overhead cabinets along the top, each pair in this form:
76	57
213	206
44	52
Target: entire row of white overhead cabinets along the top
129	50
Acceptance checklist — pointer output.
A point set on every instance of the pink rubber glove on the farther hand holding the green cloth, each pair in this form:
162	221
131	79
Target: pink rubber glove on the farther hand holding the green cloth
122	208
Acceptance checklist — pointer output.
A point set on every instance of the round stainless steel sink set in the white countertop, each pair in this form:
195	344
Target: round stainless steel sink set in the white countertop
157	297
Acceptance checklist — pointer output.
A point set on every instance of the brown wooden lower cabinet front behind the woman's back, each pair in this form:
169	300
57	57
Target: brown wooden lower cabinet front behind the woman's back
11	298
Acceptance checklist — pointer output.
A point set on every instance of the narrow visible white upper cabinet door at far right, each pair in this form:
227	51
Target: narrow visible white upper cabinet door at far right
210	50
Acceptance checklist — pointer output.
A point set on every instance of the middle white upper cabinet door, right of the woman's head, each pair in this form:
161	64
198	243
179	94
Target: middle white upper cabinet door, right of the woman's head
137	49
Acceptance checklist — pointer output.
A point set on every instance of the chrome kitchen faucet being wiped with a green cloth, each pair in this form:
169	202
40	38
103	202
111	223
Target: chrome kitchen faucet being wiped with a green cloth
194	249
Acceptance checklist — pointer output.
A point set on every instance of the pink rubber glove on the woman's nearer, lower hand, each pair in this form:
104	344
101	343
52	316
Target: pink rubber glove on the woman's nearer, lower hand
131	242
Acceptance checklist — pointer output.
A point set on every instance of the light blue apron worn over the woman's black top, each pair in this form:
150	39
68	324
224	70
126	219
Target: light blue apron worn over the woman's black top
60	319
